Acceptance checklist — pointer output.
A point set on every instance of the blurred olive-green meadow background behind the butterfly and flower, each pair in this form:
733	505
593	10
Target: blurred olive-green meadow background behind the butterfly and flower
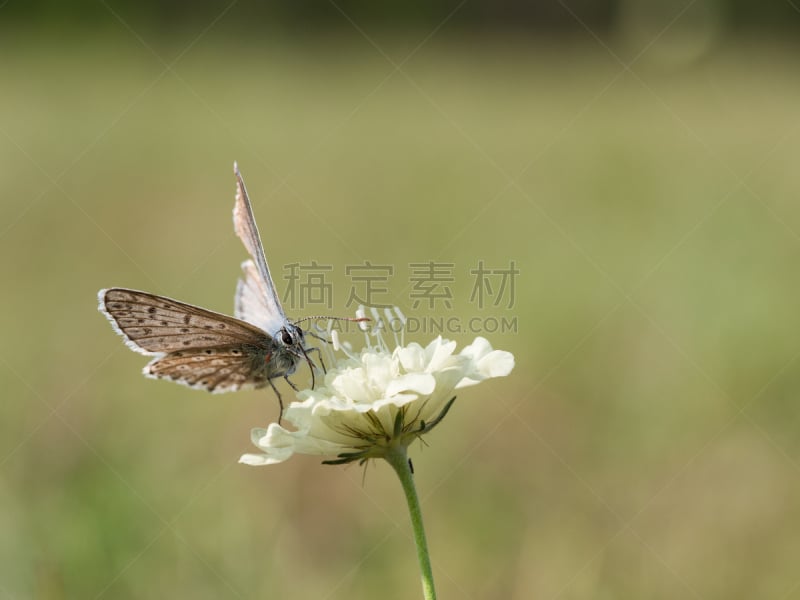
637	161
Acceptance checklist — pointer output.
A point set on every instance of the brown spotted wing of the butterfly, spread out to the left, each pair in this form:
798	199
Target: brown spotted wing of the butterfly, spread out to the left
192	346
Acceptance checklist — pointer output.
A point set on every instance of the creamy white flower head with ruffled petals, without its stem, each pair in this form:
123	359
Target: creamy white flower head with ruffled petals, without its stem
377	398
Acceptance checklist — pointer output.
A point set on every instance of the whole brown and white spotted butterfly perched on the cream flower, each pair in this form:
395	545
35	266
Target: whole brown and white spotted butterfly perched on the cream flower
209	350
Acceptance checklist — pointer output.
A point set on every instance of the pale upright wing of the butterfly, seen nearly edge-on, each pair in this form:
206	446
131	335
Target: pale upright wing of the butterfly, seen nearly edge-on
269	313
